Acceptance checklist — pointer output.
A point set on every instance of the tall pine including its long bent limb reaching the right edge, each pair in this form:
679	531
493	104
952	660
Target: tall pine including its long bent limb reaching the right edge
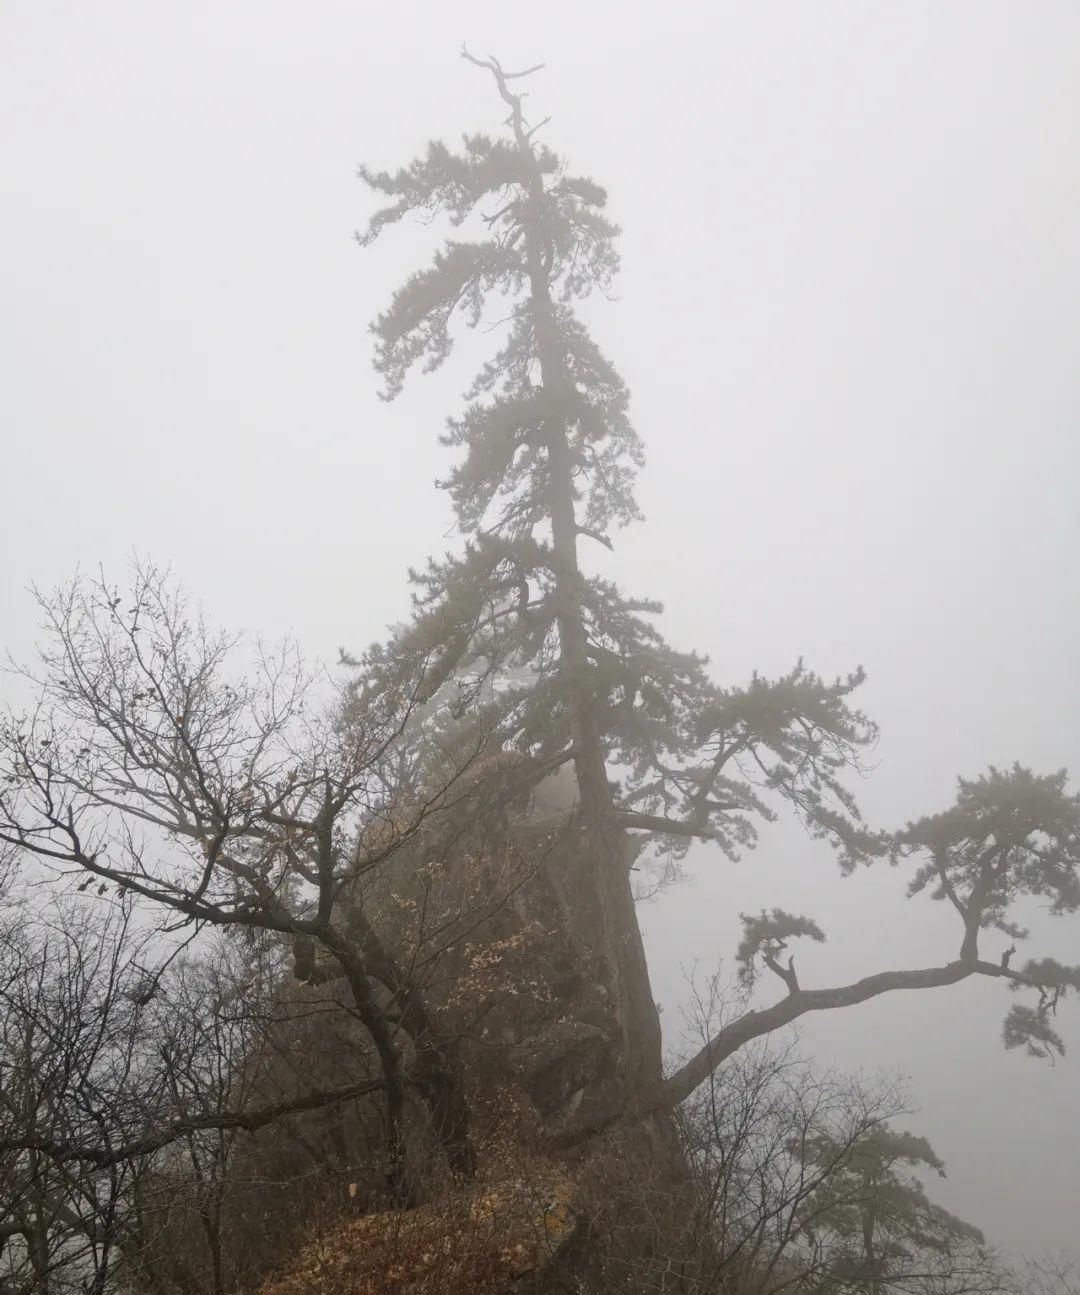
569	670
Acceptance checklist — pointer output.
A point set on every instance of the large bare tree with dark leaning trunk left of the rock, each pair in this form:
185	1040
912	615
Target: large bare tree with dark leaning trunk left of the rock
147	771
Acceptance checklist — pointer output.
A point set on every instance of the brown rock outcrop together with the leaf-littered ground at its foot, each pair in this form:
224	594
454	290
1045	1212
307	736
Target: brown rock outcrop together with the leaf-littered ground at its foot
494	916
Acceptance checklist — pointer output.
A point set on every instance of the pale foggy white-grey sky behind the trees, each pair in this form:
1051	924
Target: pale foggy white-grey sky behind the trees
850	315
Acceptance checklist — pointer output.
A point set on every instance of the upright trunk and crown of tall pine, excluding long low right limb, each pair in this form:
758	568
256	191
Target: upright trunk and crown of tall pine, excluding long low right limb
548	458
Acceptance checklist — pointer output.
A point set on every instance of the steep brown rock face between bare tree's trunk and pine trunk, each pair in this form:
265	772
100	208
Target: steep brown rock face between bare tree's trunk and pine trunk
495	916
